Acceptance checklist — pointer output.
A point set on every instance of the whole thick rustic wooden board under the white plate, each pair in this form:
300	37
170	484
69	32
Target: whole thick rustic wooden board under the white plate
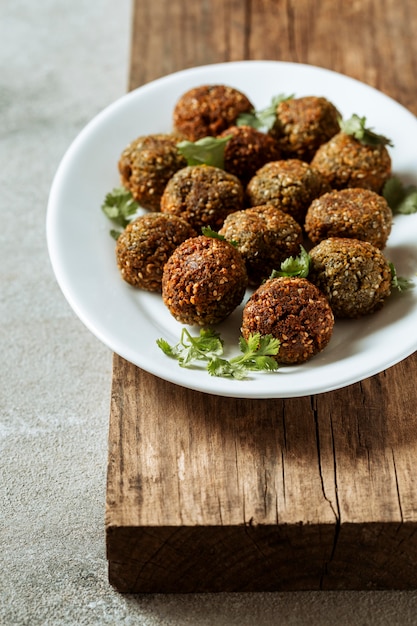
212	494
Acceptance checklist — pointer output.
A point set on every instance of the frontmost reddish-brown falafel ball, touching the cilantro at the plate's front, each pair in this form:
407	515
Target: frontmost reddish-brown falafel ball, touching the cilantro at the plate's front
294	311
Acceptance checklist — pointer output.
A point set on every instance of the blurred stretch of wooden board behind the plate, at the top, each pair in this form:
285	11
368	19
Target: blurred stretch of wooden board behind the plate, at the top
373	41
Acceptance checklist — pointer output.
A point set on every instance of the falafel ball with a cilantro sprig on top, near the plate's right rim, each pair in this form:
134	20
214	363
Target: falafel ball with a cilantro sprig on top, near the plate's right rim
346	162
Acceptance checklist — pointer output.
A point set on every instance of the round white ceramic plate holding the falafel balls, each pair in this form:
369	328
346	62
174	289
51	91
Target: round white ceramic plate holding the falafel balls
129	321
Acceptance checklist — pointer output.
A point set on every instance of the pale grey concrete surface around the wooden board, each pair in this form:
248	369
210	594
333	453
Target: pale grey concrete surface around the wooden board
61	63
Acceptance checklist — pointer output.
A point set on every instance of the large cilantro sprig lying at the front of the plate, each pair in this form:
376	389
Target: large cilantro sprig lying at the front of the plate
257	353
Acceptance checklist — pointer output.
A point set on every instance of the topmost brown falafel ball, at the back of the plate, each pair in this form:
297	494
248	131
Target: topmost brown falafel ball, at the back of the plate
207	110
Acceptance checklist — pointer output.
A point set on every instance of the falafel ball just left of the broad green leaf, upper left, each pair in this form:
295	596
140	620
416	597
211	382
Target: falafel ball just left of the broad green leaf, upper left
147	164
